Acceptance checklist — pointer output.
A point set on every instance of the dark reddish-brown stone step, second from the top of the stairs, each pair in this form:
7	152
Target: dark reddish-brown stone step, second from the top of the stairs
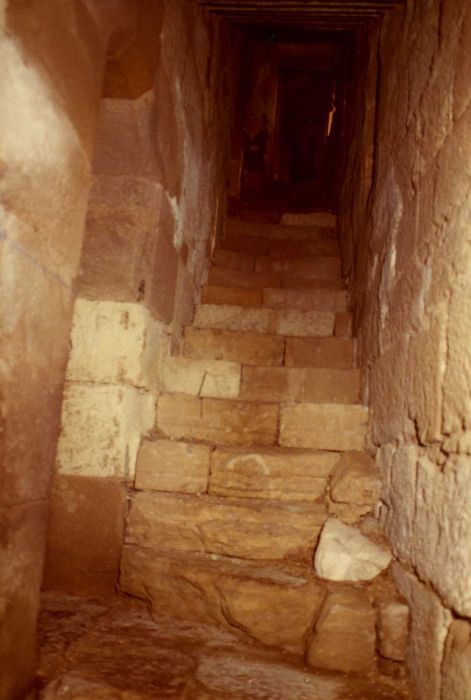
262	245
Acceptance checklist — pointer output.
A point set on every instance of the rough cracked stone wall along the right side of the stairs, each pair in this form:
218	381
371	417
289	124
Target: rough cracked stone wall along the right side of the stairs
408	259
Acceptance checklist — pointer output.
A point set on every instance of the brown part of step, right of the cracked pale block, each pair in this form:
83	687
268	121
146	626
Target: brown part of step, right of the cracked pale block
300	384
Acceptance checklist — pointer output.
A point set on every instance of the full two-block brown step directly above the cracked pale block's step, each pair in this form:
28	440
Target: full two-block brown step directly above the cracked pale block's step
268	350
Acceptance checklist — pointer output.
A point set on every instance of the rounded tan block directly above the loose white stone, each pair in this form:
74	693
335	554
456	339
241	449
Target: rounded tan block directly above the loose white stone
355	486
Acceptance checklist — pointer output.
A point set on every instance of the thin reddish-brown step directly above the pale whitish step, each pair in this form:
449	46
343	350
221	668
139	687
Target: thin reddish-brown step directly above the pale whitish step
276	298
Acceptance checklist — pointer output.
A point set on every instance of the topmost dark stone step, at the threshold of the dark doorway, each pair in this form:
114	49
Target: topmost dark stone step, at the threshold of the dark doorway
260	229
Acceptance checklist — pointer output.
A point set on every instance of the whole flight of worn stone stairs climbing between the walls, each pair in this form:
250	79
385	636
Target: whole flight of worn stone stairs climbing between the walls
259	442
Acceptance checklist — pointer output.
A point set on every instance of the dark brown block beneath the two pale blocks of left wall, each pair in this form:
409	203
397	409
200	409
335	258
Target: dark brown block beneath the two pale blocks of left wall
85	535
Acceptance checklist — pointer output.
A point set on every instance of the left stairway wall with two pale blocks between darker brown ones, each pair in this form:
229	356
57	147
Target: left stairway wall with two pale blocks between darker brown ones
159	174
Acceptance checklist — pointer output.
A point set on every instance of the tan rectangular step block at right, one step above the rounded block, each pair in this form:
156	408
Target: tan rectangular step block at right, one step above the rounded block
323	427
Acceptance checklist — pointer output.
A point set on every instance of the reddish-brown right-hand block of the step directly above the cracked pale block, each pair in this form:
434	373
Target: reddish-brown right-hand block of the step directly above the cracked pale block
336	353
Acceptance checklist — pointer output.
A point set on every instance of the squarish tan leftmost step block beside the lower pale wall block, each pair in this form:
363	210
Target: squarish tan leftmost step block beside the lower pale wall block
166	465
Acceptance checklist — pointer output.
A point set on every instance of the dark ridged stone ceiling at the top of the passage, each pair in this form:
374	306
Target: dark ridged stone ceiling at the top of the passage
300	14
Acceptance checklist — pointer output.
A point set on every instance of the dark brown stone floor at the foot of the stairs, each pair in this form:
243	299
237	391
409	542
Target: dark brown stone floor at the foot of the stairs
112	650
